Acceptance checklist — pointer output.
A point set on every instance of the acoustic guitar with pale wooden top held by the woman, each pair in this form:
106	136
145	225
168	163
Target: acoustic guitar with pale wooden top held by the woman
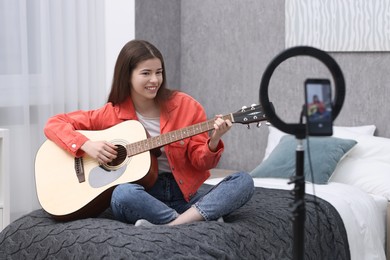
70	188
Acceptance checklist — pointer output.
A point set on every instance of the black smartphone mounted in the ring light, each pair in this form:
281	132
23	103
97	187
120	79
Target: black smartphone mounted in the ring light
318	104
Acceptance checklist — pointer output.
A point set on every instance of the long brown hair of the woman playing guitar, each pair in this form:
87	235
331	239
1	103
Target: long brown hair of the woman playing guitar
130	56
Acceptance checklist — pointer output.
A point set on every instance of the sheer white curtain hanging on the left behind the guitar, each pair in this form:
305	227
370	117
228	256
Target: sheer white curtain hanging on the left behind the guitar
52	61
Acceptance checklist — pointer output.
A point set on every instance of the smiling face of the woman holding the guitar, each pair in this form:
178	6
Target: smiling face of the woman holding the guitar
146	79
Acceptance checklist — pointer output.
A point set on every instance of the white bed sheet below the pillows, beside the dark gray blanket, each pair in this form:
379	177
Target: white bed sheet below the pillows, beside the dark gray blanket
364	215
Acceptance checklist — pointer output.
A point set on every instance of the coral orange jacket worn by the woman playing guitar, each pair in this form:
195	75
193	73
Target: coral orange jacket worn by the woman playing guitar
190	159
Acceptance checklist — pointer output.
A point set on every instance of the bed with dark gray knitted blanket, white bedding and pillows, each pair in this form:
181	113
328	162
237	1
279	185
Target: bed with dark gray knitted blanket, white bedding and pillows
347	219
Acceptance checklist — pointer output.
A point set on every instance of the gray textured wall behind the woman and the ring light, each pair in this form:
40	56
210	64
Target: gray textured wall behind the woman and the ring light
224	47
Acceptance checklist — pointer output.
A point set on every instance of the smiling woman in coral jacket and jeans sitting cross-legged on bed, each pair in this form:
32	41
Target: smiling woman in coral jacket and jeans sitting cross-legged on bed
139	93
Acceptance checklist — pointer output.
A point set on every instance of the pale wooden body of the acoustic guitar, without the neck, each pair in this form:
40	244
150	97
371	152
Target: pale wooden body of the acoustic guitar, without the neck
65	197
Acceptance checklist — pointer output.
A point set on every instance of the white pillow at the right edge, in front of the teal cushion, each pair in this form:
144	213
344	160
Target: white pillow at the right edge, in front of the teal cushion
366	166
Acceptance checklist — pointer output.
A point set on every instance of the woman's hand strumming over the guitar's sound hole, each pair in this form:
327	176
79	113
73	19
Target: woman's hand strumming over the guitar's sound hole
102	151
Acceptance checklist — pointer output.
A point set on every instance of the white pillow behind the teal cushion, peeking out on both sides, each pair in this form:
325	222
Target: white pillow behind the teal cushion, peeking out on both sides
346	132
